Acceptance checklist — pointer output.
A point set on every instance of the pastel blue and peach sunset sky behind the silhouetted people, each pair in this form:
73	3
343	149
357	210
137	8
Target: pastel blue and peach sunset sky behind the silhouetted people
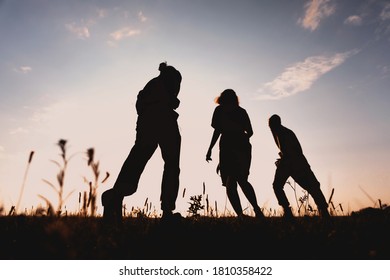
72	70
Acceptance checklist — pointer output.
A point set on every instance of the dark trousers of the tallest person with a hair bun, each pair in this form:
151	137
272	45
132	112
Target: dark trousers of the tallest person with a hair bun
163	132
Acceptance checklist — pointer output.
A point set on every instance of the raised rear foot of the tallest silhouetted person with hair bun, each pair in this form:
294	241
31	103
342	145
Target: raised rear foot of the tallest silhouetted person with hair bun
112	208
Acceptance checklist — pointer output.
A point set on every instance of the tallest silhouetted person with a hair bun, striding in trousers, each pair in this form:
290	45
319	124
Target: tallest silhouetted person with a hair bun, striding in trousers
156	126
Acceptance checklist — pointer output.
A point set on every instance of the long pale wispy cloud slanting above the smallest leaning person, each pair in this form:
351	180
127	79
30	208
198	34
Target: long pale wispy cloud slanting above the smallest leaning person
300	76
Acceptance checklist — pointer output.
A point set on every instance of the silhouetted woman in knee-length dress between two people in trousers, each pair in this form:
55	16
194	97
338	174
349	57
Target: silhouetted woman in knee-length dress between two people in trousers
232	123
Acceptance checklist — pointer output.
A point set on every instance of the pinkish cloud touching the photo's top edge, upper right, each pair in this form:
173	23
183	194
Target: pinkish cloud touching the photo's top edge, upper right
315	12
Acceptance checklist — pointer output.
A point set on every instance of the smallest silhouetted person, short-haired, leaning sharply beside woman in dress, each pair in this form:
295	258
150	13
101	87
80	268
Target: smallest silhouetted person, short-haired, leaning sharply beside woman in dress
293	163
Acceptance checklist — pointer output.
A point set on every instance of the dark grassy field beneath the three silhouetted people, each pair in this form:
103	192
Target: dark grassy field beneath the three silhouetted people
359	236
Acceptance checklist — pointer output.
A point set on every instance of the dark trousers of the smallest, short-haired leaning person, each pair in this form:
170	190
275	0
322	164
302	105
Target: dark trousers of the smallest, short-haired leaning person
301	172
